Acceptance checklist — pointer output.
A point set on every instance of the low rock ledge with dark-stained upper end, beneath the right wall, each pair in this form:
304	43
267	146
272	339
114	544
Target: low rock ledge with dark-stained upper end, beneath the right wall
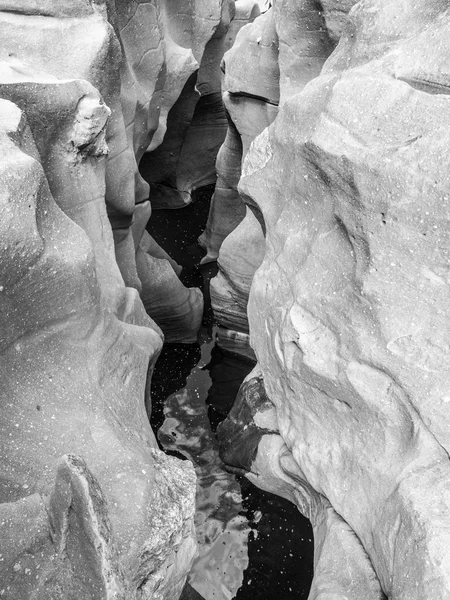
250	443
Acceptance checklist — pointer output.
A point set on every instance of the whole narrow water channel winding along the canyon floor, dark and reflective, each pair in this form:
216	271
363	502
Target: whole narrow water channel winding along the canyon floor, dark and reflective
252	544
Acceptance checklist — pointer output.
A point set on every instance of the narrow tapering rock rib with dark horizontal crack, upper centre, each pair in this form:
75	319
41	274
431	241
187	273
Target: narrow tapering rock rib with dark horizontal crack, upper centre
251	95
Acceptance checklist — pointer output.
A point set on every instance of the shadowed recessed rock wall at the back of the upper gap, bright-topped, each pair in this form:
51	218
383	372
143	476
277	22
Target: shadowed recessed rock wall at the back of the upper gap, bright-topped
185	160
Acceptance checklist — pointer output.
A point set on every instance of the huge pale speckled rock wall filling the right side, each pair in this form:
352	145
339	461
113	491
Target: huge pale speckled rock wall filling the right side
349	309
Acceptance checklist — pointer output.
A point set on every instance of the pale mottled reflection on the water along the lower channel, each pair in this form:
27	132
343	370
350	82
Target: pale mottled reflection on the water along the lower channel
222	528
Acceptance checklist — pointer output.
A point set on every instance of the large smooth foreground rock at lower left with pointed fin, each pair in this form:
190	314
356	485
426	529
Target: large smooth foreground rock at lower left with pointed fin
89	507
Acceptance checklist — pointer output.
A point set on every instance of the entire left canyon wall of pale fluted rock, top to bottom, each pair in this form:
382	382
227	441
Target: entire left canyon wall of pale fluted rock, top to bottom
90	508
